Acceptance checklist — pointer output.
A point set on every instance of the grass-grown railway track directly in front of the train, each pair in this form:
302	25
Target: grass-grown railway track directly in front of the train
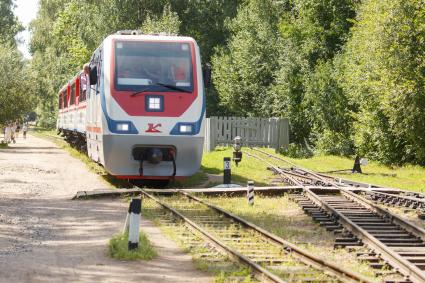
270	258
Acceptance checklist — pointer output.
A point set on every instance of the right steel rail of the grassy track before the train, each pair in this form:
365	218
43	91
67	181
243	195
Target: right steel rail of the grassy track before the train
301	254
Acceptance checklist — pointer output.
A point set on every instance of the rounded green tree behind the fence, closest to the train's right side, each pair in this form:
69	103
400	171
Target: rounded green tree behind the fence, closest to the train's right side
243	71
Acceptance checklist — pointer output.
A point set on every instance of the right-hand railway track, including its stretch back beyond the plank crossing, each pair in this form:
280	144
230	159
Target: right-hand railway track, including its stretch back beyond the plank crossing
392	241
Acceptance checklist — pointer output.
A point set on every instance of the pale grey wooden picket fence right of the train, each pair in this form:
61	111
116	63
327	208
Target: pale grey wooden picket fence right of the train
264	132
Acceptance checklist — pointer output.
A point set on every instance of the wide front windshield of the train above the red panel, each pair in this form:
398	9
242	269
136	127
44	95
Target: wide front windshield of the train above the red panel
153	66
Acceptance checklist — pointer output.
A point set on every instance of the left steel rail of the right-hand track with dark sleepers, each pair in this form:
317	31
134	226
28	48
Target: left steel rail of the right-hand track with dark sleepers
393	258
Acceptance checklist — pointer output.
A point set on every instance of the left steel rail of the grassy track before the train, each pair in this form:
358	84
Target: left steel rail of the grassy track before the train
259	272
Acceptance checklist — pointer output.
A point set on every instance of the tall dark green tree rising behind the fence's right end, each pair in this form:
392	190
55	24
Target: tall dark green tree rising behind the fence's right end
306	90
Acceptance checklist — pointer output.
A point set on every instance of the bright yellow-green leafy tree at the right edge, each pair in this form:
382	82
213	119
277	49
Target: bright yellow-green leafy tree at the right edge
383	73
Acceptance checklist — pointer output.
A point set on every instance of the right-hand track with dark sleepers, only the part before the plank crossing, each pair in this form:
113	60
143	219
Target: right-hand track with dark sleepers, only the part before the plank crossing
394	241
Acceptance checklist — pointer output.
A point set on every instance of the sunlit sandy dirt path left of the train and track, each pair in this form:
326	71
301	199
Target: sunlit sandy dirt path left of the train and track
44	236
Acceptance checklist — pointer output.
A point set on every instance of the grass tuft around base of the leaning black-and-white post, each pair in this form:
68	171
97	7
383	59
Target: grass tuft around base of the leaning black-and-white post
118	248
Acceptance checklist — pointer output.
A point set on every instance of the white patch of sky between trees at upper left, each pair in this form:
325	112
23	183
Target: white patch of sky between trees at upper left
26	11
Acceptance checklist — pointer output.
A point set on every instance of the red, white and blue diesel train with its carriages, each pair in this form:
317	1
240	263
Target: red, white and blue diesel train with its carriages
140	109
